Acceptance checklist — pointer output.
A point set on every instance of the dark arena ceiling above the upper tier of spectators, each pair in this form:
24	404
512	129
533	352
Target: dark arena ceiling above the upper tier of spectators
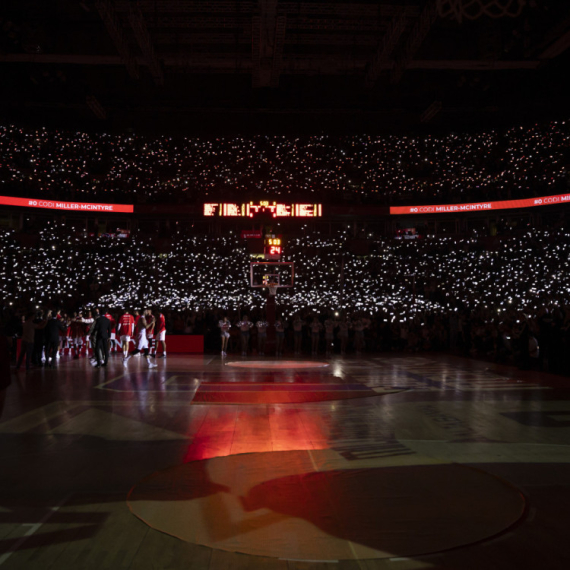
219	66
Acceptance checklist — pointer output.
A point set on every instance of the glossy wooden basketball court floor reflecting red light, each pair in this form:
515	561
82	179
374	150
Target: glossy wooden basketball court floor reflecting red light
388	461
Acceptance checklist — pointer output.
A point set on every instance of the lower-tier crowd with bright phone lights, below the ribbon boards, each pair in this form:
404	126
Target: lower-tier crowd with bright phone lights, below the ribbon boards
502	298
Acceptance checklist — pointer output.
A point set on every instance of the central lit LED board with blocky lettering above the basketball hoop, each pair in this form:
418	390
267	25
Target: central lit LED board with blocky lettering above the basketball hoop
274	209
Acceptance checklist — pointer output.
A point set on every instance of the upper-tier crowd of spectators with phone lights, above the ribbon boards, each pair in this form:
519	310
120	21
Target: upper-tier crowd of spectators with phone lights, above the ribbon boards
389	170
